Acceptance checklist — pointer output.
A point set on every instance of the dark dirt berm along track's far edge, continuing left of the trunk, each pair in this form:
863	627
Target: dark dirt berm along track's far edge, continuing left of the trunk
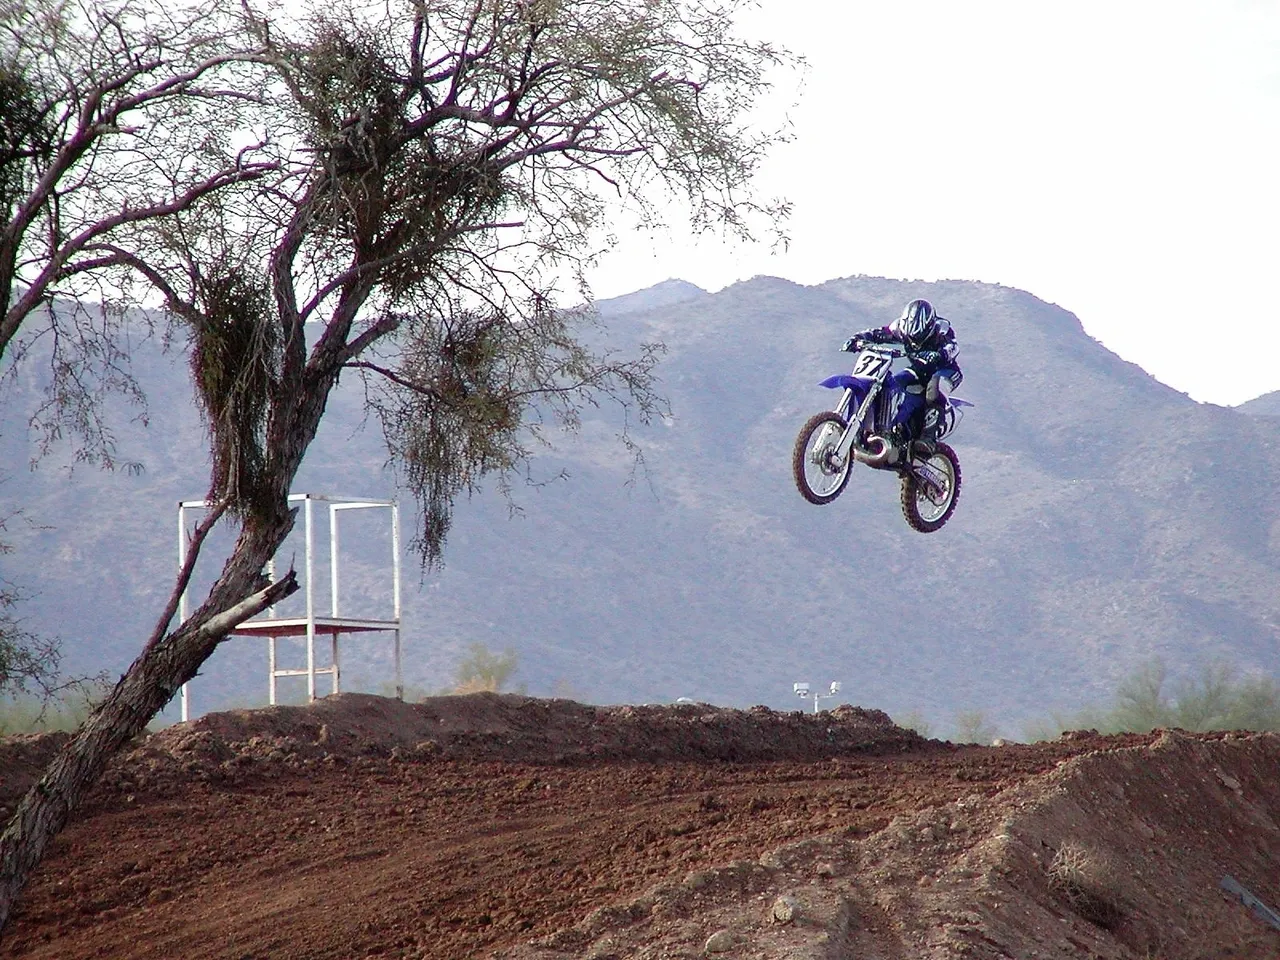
474	728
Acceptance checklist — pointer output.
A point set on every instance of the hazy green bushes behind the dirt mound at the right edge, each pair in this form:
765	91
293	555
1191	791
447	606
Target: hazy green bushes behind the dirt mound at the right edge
1214	700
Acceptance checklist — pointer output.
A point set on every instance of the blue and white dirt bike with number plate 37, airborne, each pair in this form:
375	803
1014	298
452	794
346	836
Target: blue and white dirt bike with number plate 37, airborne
872	426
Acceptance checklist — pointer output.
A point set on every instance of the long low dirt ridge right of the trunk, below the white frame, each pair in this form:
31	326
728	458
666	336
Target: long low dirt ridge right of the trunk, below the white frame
523	729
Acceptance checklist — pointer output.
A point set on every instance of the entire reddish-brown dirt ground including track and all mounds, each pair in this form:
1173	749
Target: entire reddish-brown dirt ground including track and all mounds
505	826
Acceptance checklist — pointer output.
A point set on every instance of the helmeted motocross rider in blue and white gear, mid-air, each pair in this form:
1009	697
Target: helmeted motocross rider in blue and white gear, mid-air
932	373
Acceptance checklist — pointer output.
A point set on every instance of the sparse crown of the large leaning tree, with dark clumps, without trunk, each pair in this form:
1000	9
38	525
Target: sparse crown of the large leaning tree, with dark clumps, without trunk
460	162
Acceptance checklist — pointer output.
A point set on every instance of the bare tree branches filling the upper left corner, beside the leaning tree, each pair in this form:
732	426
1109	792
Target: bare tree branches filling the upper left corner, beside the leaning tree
113	113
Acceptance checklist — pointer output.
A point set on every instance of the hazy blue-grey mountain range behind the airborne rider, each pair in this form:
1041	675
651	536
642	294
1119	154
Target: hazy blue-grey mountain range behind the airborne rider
1105	519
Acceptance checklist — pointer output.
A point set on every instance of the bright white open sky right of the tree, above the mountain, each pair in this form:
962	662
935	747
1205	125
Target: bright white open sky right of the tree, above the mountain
1118	158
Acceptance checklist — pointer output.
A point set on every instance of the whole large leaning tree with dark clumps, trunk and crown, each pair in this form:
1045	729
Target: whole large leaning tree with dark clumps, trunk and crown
442	170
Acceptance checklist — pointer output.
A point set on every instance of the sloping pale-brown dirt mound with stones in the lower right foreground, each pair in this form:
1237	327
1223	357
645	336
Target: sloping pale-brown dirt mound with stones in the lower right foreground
1114	856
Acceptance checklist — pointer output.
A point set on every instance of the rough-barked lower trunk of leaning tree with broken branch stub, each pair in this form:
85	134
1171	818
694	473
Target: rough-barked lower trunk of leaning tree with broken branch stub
150	683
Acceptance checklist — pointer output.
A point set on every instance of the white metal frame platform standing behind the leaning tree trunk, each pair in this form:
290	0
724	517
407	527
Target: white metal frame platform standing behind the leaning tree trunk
310	625
